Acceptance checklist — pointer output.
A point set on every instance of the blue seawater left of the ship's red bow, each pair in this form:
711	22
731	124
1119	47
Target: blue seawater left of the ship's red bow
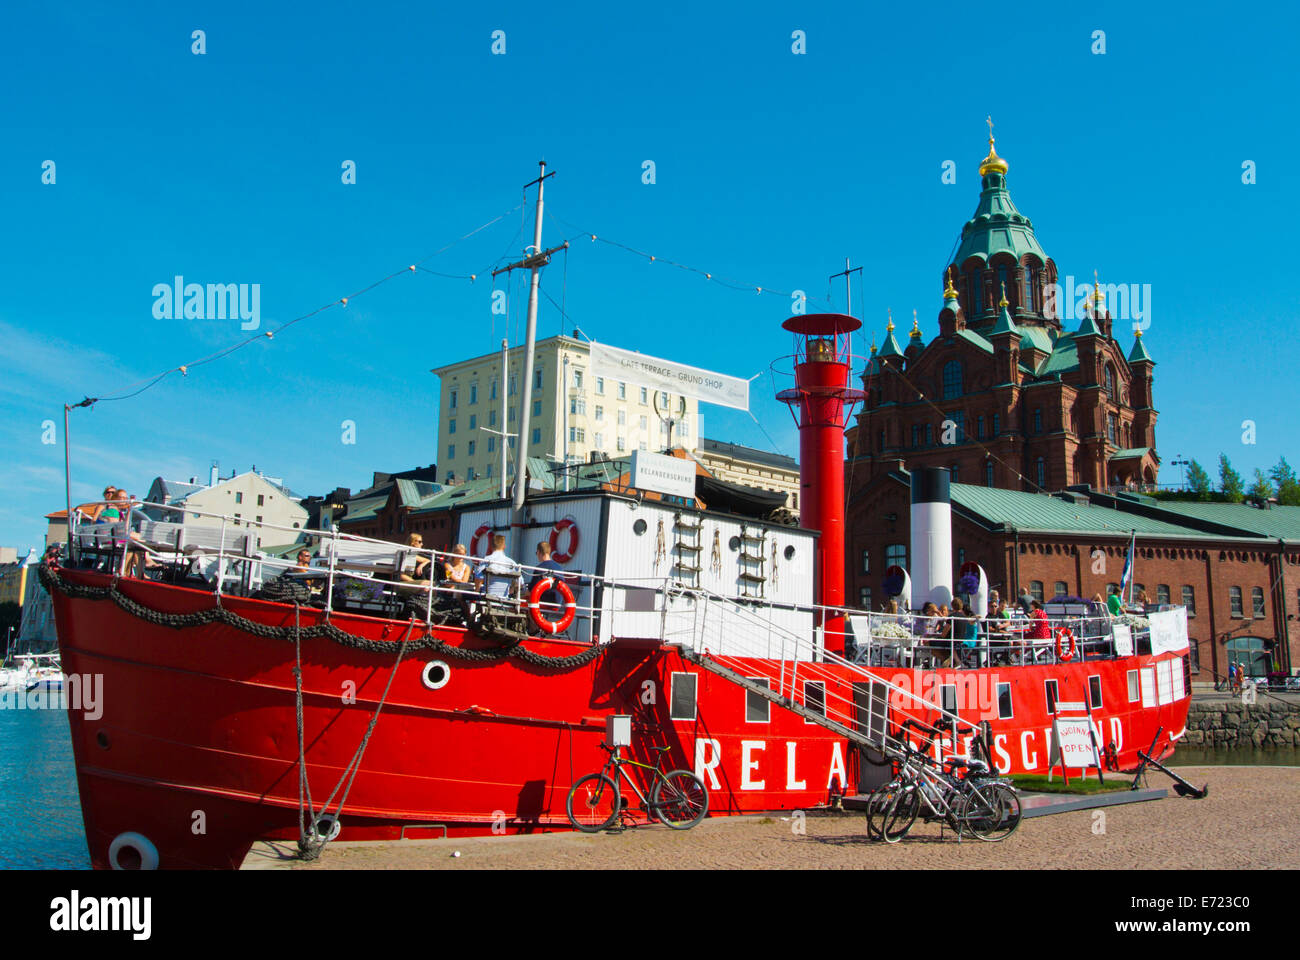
41	825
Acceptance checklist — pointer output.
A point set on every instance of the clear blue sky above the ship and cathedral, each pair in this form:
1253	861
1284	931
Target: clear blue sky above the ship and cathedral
772	168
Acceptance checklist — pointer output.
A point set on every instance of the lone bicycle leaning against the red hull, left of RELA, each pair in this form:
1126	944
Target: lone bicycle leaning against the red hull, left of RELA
678	799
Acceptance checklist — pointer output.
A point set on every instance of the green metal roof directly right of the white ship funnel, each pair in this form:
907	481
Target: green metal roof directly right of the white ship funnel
1042	513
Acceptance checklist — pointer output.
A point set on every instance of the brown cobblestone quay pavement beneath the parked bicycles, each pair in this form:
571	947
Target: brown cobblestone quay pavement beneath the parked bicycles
1175	833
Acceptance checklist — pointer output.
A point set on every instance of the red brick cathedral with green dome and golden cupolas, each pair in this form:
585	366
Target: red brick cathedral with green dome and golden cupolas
1017	391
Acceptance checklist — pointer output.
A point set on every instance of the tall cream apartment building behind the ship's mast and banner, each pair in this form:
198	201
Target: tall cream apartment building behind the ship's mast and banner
575	413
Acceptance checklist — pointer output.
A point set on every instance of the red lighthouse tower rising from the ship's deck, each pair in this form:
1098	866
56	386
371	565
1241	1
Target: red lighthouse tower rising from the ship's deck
822	403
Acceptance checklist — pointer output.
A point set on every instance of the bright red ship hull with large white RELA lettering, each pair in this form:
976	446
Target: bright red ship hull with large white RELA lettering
197	743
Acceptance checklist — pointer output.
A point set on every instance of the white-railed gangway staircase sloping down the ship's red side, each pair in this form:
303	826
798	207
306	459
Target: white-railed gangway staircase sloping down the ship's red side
851	700
